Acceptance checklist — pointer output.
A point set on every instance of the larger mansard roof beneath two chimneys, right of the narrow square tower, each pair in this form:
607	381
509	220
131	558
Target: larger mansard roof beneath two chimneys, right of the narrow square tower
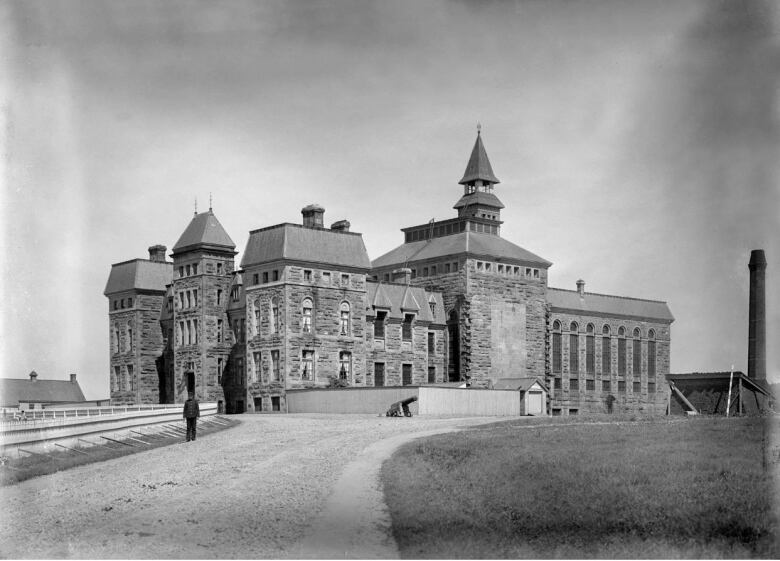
311	245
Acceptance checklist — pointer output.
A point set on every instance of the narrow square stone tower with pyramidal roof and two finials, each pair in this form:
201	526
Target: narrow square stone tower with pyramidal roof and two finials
203	262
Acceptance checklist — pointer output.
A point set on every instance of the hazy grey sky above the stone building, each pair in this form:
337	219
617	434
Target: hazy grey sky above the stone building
636	143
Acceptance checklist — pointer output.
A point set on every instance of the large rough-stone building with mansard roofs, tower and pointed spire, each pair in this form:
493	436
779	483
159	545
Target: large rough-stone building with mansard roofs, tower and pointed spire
454	302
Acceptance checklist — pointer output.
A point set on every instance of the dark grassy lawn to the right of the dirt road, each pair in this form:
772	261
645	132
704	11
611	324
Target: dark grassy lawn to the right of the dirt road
683	488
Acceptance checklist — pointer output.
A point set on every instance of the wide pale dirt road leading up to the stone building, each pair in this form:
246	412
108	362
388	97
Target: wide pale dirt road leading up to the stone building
284	486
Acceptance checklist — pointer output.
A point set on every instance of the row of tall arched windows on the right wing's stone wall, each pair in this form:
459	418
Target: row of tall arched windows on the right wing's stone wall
606	350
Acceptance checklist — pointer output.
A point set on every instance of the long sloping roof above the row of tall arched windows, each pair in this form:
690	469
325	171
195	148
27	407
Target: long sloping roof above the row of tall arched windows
569	300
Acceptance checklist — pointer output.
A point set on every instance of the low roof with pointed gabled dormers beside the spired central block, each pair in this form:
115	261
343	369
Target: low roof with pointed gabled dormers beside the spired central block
394	296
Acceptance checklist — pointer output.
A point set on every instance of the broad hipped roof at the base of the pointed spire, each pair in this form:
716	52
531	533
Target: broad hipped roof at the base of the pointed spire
473	244
